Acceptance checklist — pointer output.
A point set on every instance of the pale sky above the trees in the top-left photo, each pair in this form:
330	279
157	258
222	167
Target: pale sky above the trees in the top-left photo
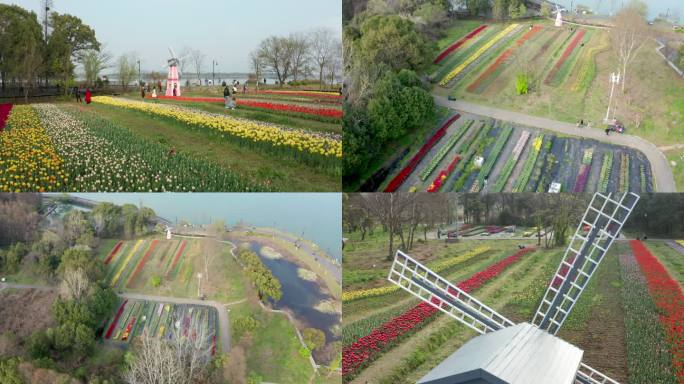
224	30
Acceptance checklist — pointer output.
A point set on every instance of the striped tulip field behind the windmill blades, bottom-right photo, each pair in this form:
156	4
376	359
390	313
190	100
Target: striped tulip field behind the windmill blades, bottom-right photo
388	336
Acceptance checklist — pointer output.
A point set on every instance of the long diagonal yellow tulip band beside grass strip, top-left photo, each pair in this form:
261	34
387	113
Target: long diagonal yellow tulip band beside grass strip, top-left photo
277	137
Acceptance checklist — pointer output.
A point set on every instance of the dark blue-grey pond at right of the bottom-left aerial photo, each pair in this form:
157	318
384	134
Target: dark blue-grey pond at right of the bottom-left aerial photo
300	296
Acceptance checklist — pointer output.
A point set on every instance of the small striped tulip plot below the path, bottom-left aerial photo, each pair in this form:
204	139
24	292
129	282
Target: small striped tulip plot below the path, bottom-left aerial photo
134	318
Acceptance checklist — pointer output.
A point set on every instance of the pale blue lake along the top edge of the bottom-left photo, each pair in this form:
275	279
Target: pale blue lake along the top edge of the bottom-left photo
314	216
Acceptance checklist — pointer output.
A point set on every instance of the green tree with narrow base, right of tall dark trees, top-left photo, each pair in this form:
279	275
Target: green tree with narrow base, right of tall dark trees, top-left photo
69	38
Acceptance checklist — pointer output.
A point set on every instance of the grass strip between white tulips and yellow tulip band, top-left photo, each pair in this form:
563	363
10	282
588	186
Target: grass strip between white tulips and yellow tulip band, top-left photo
285	174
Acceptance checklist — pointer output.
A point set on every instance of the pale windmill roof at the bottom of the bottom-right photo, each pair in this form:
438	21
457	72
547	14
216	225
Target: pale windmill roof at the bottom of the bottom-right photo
521	354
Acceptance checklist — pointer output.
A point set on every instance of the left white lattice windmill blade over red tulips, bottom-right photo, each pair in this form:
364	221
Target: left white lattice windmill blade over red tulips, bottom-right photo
428	286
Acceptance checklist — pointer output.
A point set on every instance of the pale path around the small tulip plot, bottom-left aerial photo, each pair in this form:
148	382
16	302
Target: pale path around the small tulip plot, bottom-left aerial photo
224	323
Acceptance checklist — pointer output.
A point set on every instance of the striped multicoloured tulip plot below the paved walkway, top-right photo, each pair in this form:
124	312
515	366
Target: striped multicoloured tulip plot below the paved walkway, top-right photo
471	154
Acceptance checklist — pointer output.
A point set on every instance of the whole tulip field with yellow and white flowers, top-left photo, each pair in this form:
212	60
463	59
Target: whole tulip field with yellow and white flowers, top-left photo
55	147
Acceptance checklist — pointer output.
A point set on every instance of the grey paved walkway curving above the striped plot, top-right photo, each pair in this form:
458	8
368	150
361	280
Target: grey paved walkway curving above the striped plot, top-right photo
664	180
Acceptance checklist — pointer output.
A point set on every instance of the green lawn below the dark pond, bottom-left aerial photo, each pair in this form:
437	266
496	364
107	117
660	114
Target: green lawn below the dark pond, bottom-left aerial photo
272	350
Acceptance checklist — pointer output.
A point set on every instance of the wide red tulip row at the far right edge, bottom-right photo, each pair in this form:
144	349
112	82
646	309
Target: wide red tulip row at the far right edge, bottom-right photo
669	298
